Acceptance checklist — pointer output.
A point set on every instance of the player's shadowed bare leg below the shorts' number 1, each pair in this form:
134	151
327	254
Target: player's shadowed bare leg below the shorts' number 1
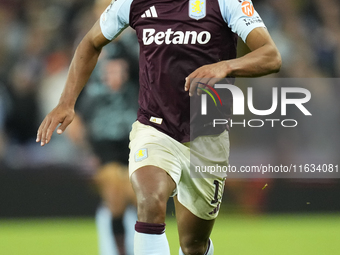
193	231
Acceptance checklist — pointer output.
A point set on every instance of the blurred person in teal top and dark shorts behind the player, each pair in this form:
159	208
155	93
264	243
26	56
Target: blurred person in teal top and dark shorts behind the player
106	110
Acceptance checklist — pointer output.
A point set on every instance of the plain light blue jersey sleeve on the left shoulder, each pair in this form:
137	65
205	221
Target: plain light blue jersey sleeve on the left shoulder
115	18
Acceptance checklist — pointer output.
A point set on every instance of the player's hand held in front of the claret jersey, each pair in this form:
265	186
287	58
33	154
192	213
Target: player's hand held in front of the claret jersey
207	74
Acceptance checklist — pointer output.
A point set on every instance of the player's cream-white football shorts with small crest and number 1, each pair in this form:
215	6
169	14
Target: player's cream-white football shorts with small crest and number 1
200	192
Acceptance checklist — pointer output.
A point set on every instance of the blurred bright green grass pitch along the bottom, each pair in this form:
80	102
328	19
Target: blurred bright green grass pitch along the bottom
262	235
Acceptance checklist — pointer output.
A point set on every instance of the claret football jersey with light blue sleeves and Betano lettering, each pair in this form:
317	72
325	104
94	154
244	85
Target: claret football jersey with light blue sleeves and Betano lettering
176	37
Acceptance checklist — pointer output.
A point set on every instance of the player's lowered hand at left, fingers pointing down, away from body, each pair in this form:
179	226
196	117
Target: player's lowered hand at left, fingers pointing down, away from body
60	115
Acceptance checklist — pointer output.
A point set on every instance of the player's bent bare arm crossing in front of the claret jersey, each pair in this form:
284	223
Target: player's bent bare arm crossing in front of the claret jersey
263	59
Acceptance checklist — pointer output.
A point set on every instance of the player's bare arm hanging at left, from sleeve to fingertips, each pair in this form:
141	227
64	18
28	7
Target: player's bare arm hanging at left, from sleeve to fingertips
81	67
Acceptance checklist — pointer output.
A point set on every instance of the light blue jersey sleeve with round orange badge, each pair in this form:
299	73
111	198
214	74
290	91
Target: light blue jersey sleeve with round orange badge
240	16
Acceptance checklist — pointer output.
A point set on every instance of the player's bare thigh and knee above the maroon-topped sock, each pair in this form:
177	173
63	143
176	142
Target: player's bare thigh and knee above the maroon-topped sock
152	186
